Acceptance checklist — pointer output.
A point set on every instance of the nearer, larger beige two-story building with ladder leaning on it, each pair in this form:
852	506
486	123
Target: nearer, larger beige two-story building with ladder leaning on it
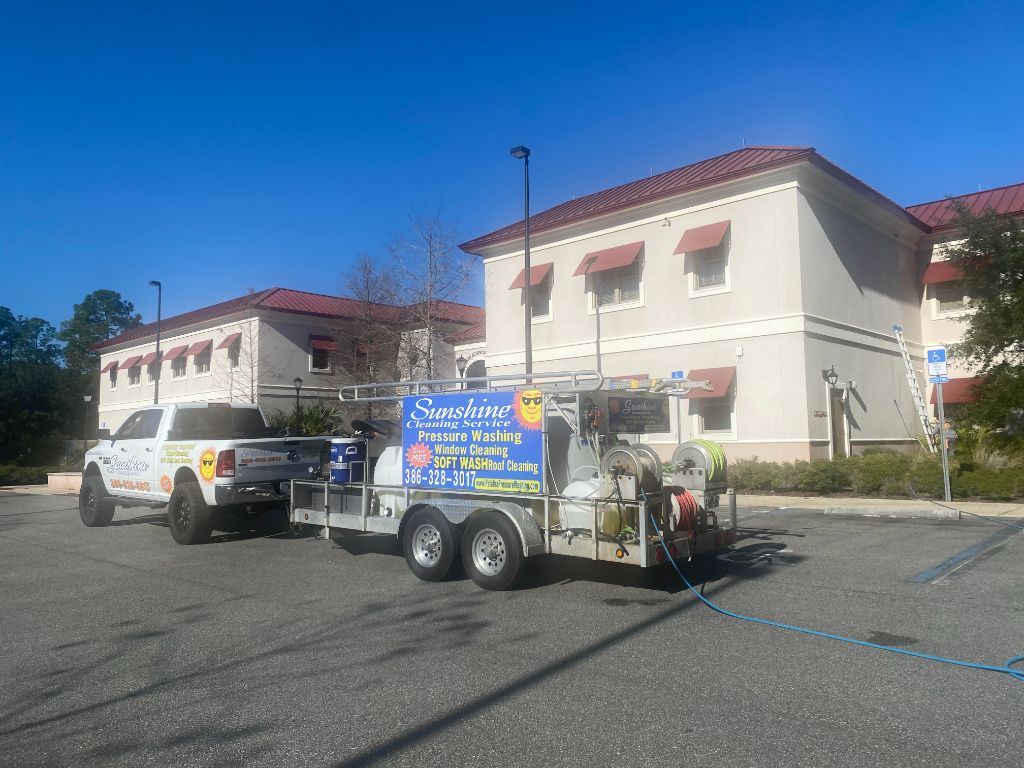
760	271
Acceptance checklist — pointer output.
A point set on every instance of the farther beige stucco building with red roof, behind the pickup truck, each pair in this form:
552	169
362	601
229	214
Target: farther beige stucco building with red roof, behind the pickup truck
252	350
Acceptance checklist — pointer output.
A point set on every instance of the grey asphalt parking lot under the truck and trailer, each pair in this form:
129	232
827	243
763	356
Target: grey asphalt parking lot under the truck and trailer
261	649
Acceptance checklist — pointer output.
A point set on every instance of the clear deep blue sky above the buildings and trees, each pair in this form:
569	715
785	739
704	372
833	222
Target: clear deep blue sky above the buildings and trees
223	147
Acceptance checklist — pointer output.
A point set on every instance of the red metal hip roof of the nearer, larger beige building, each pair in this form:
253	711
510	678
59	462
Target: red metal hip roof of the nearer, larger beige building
739	164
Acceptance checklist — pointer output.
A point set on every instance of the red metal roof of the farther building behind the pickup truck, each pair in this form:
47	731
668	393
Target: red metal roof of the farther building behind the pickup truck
300	303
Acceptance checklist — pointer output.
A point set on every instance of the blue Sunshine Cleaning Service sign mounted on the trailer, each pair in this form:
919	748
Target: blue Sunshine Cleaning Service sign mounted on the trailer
475	442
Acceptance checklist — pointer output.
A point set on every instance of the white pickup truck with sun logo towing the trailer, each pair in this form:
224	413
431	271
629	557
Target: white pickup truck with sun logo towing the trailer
194	458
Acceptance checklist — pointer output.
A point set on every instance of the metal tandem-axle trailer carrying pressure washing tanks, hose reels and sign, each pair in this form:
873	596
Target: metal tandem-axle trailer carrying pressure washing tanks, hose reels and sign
503	468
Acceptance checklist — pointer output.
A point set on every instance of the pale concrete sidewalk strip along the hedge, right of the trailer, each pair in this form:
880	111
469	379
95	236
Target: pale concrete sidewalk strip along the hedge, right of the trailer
885	507
